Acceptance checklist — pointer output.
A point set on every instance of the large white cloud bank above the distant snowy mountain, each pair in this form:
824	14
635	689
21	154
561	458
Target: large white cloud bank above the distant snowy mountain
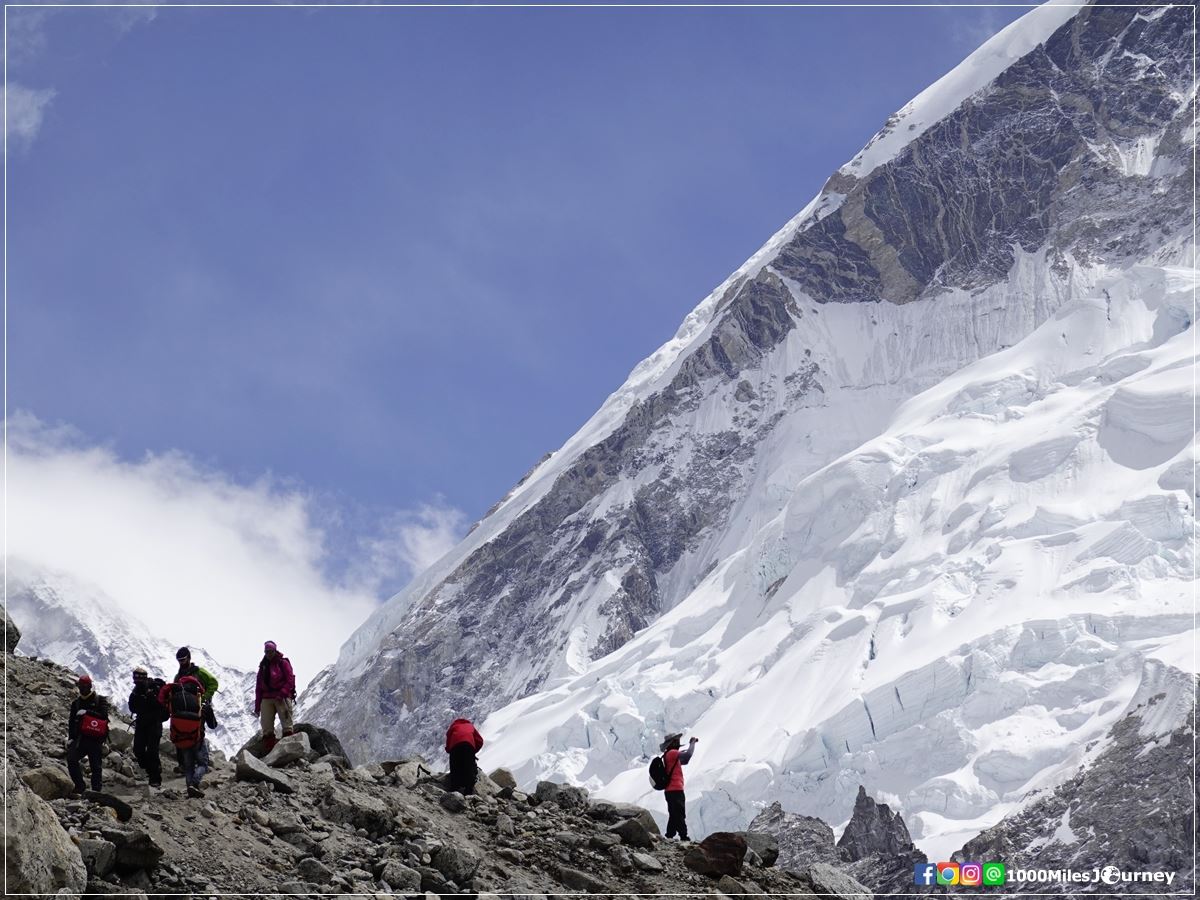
196	556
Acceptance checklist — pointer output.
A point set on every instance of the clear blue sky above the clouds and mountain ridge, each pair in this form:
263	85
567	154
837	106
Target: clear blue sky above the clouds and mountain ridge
388	259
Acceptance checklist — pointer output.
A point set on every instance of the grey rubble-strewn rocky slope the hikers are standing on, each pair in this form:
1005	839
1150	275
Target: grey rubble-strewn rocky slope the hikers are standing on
304	821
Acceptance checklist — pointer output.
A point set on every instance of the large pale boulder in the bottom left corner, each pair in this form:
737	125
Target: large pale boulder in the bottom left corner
39	857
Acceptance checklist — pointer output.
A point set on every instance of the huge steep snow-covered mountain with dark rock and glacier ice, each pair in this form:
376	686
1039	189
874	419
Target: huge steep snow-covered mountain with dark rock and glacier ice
907	502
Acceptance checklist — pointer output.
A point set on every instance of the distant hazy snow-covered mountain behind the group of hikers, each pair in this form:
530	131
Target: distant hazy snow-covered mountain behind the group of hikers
86	631
